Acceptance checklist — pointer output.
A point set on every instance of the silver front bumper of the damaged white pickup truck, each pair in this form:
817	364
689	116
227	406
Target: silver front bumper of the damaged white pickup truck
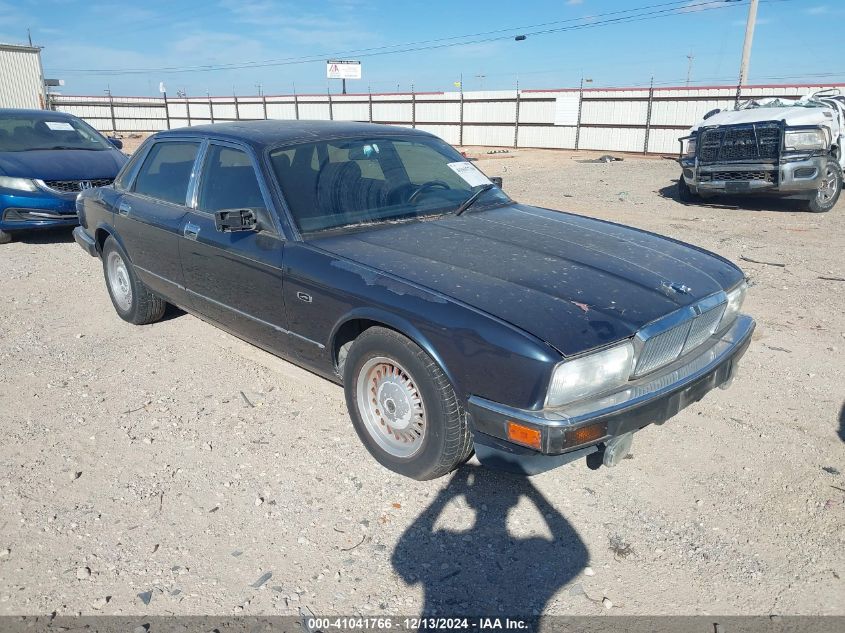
791	175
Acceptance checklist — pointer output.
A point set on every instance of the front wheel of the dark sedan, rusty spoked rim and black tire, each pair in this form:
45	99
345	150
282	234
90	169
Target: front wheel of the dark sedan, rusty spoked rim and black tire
411	392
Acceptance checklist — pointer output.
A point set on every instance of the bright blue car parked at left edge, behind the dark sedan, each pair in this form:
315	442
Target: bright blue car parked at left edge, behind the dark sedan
46	159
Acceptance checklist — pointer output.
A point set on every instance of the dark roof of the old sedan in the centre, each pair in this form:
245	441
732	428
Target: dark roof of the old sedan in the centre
266	133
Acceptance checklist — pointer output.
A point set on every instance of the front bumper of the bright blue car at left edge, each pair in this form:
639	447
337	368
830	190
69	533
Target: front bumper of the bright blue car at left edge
23	211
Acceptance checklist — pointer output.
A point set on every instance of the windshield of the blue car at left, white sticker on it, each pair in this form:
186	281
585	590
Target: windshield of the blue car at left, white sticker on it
23	132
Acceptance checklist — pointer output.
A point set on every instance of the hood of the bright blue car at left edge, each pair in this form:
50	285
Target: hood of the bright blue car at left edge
62	164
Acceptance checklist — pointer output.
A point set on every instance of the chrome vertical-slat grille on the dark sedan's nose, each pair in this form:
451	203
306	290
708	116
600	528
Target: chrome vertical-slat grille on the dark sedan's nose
663	348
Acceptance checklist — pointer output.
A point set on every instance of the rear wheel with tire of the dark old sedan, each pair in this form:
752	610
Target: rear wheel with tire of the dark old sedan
131	299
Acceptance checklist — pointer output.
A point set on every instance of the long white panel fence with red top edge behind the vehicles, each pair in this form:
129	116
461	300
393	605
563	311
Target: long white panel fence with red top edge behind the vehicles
601	119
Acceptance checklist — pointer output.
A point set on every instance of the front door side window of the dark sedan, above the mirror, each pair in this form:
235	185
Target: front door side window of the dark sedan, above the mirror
228	181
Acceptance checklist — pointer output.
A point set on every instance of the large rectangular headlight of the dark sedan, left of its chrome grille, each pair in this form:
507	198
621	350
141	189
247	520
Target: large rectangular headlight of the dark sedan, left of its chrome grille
574	379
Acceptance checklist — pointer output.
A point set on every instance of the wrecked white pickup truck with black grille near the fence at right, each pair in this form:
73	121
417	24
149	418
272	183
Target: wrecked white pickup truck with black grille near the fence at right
772	146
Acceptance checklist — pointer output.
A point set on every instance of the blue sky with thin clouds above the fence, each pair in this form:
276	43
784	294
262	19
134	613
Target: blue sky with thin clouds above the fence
92	44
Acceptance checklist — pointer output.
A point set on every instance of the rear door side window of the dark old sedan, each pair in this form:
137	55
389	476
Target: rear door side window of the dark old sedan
166	171
